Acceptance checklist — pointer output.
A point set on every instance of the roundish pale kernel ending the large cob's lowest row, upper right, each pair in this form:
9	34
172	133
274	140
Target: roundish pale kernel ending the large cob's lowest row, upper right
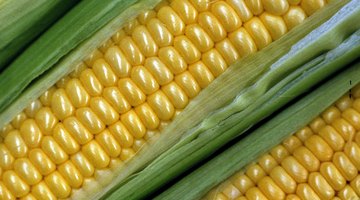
294	16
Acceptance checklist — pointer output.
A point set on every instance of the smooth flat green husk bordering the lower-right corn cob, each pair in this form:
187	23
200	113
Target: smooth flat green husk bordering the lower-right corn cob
264	138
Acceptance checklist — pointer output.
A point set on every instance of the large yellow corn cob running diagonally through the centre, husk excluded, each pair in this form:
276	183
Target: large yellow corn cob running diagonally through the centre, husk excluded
96	118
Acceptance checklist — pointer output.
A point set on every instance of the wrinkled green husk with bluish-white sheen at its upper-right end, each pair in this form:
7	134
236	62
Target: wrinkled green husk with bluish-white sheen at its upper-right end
309	62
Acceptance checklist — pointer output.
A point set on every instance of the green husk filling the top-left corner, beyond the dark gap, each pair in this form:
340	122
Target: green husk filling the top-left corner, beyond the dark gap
21	21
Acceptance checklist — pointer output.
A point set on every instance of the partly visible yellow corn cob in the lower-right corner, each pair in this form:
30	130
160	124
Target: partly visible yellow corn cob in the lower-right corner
320	161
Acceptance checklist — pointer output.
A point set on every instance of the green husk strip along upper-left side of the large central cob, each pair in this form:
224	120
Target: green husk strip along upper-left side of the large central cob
75	27
